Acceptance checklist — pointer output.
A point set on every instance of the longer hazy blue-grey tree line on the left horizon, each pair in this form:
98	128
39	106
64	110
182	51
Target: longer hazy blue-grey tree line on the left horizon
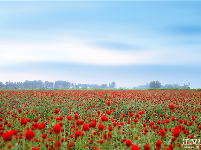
38	84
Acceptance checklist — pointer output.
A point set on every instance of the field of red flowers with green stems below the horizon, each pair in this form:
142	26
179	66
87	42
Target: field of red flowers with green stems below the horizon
100	119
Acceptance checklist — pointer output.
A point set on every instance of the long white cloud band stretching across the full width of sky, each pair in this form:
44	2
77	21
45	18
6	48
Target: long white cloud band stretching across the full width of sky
76	50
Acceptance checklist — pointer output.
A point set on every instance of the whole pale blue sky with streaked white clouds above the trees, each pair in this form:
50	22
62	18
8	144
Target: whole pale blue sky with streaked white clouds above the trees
131	43
